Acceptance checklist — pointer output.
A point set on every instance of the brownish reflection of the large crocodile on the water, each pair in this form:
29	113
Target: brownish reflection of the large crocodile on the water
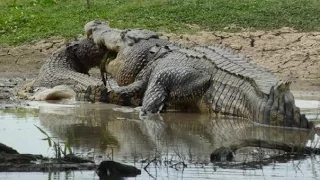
179	137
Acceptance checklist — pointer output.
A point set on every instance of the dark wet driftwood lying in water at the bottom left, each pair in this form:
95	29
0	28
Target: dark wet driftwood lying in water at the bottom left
12	161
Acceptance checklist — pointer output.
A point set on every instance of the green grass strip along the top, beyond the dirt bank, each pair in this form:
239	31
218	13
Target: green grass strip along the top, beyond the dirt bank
27	20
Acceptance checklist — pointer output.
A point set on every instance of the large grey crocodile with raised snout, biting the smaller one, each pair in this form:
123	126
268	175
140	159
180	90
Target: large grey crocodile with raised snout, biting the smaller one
206	78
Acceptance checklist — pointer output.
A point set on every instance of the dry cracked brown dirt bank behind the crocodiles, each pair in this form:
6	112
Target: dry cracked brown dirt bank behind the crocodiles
289	54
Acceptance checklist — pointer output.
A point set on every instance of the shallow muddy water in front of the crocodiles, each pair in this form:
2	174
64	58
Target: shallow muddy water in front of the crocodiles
161	144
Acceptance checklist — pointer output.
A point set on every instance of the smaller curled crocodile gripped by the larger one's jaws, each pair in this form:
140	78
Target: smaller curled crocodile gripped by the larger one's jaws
70	66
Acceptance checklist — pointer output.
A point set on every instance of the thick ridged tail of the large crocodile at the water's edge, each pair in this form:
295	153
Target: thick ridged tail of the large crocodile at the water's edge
240	96
